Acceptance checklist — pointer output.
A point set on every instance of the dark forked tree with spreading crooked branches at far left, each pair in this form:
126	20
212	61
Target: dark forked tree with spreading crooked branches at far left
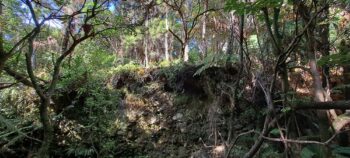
87	27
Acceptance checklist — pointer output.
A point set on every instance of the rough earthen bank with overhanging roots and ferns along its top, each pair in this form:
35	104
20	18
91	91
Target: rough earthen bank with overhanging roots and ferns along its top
175	113
